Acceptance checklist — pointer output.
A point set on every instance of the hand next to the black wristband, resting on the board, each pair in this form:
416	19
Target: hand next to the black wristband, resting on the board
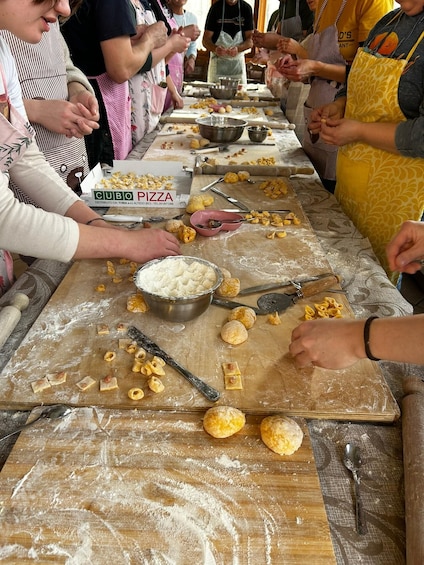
328	343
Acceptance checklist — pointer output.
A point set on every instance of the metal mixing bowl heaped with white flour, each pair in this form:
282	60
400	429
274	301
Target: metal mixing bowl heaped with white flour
176	308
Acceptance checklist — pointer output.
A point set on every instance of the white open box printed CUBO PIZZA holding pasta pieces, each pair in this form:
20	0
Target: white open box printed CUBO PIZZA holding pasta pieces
94	194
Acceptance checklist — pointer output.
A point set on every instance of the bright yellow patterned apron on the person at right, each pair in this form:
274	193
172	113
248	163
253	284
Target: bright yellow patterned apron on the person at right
377	189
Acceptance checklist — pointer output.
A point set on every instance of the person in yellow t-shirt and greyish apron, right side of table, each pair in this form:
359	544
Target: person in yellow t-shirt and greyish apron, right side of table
340	27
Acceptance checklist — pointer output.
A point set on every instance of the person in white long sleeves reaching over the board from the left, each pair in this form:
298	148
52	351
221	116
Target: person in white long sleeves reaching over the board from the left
63	227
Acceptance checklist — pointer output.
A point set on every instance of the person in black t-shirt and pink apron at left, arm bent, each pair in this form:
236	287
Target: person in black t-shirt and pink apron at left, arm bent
107	46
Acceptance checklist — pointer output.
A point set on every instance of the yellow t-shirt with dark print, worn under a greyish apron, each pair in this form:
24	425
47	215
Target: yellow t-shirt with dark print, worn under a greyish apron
355	23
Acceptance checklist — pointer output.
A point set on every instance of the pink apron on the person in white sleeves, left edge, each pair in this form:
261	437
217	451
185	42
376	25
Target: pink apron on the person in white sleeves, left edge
15	136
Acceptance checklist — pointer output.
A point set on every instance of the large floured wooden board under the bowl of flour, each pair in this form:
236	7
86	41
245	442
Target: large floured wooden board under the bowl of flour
64	337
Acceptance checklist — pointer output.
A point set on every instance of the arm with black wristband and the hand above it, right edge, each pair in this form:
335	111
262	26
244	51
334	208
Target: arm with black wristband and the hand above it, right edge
339	343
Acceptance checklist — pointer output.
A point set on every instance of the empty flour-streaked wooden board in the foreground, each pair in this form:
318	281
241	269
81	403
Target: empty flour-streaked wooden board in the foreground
147	487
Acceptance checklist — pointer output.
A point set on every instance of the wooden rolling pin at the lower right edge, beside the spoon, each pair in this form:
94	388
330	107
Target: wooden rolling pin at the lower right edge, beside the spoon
413	463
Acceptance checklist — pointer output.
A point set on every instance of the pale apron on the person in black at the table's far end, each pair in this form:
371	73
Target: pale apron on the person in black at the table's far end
229	67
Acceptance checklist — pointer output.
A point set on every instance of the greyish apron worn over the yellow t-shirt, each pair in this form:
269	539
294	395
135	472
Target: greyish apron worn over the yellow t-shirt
324	47
